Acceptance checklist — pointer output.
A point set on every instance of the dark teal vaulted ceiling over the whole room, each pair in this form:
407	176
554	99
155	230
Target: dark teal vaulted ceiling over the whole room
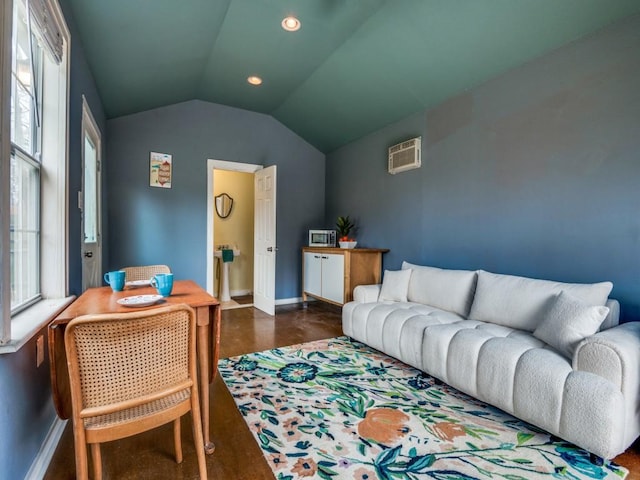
353	67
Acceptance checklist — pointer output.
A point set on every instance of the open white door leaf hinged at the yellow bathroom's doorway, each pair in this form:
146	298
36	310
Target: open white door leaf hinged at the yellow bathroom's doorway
264	275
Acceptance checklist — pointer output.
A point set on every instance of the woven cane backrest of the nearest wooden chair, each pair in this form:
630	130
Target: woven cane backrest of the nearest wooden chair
130	357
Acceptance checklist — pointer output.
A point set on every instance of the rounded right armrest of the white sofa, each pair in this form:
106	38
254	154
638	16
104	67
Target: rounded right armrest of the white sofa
615	355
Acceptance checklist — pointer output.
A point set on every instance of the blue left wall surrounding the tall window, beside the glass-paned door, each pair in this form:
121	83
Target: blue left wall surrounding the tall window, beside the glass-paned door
26	406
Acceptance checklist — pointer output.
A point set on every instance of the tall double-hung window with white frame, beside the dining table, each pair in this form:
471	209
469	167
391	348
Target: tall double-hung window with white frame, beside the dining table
33	88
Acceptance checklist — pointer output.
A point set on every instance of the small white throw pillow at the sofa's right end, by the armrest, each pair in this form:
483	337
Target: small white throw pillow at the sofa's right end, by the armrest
567	321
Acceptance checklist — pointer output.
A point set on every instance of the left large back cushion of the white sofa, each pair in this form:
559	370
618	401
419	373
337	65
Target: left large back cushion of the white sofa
450	290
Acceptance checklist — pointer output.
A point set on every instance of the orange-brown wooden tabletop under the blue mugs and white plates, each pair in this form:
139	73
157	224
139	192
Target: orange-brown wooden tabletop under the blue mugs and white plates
105	300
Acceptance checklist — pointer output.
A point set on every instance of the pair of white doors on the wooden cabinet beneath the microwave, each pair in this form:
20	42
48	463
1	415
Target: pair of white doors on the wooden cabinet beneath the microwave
324	276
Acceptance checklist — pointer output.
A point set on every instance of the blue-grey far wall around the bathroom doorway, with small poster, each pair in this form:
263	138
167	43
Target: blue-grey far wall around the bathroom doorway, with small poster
151	225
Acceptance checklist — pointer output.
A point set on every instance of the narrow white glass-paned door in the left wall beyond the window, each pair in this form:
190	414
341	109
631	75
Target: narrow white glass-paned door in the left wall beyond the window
89	201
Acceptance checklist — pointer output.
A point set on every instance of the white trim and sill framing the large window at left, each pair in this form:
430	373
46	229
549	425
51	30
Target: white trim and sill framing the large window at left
16	332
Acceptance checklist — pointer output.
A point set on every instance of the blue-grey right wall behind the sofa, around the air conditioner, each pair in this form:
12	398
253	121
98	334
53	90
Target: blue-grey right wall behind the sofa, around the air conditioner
533	173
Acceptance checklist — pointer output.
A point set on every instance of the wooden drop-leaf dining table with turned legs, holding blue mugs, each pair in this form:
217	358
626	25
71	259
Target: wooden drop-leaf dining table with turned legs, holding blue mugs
104	300
